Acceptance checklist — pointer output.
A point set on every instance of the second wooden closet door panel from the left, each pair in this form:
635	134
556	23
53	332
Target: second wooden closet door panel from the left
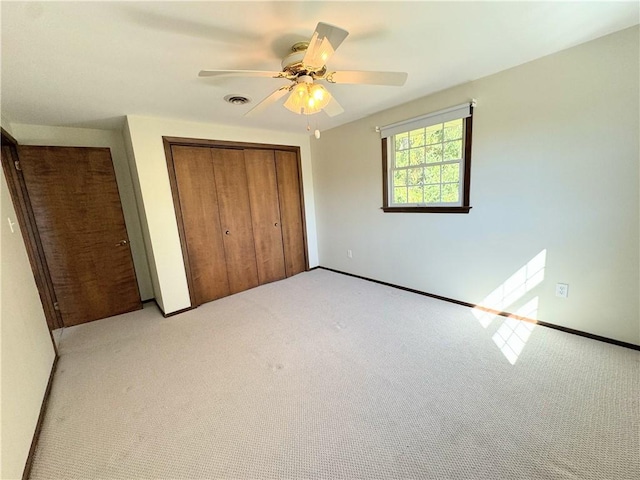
235	218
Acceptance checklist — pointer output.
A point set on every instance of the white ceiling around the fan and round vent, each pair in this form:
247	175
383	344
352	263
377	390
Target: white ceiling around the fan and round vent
90	63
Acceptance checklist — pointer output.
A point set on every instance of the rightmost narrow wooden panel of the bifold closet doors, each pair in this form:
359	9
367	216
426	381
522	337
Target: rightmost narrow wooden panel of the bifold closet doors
291	212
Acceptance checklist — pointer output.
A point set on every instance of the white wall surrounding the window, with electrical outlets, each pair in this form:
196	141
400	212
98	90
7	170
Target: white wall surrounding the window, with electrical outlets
555	168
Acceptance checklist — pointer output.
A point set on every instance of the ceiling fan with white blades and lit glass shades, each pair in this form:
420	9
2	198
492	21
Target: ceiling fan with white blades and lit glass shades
304	66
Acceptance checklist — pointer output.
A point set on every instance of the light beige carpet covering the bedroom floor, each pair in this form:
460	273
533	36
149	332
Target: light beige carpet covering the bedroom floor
327	376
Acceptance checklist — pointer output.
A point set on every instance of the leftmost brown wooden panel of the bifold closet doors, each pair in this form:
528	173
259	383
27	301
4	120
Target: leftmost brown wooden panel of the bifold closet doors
199	207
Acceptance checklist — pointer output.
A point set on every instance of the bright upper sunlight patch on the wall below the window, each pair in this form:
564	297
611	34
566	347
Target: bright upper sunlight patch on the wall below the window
514	288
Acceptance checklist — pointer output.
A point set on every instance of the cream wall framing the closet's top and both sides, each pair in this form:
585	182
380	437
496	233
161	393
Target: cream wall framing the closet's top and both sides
143	136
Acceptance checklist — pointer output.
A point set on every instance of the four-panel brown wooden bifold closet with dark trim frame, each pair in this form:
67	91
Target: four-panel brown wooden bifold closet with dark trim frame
240	214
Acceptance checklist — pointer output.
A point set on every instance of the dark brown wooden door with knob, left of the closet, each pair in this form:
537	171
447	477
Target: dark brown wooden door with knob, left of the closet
76	205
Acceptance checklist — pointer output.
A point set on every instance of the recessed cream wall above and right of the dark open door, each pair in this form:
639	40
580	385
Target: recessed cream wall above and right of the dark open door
87	137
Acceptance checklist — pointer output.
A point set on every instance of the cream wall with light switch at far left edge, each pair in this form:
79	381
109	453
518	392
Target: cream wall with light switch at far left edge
26	349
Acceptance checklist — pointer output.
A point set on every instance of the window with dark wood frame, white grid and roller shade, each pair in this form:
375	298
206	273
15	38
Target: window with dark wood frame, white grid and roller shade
427	162
